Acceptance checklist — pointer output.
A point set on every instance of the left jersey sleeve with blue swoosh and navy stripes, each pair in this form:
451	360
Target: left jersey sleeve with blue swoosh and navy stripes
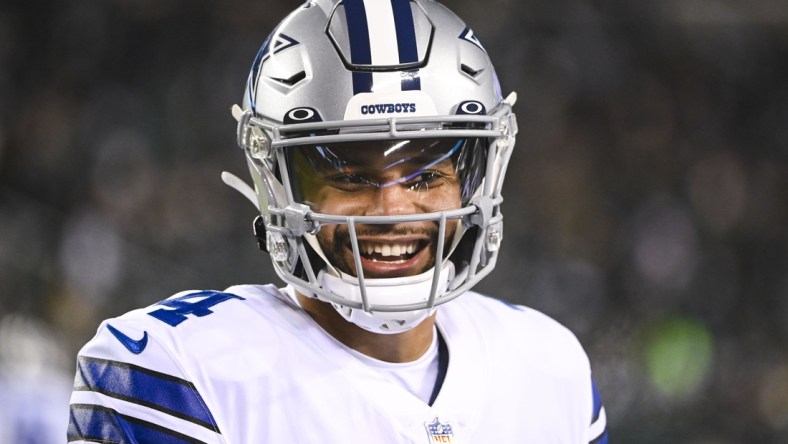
129	388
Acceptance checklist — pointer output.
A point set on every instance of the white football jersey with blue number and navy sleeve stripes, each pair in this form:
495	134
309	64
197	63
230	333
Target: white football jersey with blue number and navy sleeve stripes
247	365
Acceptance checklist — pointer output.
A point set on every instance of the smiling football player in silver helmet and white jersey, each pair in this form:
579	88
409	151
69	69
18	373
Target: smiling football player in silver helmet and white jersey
377	139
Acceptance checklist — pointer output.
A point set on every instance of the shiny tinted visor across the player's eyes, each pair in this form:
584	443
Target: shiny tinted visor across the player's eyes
386	177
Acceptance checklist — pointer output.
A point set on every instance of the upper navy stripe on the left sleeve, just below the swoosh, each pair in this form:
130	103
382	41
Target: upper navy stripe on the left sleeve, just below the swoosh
159	391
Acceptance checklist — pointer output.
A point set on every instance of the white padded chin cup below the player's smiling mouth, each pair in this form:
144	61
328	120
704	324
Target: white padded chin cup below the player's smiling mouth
385	292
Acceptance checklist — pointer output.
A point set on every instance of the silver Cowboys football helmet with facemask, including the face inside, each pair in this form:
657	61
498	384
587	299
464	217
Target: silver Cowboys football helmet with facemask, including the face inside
377	140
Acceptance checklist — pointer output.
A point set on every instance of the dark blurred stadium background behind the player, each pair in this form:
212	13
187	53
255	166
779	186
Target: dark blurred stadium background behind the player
647	201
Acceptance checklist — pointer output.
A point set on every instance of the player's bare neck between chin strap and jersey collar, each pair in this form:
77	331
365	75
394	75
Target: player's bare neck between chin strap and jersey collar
401	347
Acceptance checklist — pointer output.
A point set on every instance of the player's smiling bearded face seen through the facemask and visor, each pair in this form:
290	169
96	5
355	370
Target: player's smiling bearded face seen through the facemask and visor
381	179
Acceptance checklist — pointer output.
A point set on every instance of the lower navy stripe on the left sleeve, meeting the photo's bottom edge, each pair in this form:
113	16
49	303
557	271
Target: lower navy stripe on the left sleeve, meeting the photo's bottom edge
102	424
